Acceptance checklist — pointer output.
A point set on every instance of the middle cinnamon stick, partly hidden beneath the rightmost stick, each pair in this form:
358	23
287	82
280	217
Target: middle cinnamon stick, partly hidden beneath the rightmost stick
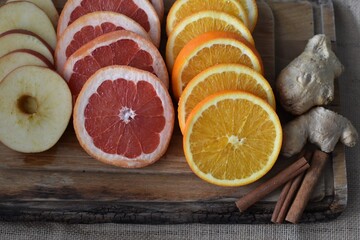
288	194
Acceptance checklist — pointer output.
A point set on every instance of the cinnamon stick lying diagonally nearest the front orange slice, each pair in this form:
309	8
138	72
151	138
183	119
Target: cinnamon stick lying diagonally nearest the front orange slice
269	186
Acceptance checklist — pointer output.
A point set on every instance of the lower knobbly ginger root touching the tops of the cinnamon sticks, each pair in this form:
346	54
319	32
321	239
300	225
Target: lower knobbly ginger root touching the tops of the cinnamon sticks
320	126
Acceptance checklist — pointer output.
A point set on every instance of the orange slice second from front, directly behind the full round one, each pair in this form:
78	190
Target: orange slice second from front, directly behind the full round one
220	78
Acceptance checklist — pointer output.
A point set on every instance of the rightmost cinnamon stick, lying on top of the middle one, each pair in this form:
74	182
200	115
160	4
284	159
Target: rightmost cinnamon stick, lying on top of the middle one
312	176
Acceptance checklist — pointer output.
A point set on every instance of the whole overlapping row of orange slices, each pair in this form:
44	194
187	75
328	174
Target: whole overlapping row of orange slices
231	133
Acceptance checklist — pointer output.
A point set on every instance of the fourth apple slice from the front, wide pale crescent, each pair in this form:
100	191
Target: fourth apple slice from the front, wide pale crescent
27	16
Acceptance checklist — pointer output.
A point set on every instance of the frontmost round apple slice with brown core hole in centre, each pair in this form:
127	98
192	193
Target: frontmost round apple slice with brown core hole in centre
35	108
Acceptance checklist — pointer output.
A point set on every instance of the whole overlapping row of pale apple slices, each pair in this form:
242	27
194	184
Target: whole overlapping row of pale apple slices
32	117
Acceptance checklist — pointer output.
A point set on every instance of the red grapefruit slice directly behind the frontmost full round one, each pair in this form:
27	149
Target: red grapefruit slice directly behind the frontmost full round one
114	48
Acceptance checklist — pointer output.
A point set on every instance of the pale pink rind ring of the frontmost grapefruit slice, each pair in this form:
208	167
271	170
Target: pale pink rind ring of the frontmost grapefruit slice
132	74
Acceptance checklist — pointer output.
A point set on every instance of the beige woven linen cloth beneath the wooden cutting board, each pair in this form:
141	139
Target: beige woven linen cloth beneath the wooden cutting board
347	226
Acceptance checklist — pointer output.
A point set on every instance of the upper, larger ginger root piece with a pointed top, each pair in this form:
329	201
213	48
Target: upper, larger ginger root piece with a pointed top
309	79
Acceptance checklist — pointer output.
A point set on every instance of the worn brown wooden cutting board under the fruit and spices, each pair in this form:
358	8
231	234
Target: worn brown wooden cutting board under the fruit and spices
64	184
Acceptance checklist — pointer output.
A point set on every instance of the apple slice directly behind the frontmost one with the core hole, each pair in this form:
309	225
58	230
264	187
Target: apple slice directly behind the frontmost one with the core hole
19	58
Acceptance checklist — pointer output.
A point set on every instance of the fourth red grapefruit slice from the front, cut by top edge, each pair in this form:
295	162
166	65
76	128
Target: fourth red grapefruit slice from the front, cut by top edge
139	10
